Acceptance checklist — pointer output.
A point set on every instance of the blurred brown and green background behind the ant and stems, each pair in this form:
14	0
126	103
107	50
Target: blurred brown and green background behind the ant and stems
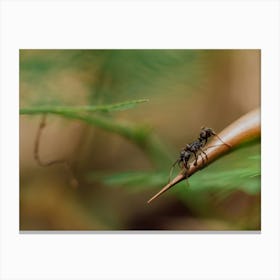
186	90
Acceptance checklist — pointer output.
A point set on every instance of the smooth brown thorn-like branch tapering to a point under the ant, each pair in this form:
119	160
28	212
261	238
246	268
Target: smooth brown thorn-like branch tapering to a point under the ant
242	130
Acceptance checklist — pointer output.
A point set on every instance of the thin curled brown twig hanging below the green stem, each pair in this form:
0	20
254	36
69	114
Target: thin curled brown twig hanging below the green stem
73	181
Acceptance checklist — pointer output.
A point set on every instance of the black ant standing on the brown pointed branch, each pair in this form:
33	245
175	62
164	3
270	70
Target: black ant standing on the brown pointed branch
194	147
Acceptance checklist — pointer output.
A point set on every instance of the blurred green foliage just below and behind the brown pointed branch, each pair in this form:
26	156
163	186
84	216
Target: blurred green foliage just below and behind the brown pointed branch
235	171
